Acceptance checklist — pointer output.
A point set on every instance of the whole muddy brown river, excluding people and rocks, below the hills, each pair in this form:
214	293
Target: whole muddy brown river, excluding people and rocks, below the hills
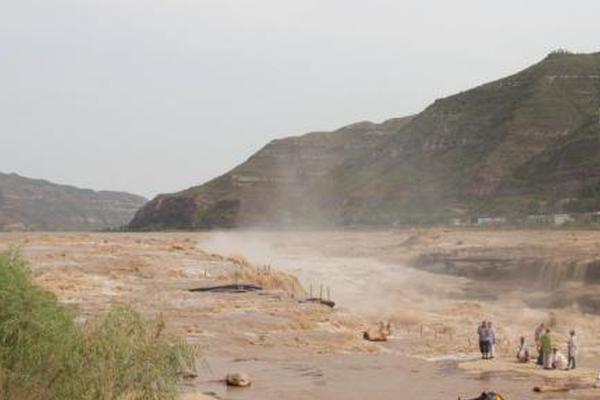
294	350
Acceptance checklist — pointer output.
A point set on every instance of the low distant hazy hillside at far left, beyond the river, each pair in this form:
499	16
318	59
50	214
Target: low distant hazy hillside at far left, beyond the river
32	204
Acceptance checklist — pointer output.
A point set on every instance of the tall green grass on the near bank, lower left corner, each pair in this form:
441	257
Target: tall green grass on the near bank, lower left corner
45	354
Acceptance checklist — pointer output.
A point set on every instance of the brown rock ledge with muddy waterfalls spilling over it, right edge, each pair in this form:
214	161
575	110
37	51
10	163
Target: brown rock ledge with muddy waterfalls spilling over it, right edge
545	269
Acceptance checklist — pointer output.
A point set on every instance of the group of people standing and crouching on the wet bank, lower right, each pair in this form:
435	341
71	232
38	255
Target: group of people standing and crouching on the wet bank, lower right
549	355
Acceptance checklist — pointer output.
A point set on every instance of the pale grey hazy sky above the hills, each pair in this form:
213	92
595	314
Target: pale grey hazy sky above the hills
153	96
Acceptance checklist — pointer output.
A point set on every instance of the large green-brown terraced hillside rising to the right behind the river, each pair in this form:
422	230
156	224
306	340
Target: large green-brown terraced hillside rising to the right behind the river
525	144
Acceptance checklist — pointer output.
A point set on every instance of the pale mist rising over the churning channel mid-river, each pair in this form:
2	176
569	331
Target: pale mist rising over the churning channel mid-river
358	282
